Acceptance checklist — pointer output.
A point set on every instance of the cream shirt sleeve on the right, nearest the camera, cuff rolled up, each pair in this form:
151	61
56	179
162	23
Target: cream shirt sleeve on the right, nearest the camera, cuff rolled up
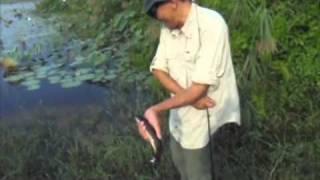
213	55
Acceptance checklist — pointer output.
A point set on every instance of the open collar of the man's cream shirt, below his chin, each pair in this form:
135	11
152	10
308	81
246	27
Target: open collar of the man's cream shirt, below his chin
185	29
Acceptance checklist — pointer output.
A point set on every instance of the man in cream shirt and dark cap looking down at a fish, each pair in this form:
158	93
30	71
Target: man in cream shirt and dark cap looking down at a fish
193	62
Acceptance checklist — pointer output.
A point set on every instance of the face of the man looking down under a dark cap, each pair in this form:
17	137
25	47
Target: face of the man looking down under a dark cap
166	13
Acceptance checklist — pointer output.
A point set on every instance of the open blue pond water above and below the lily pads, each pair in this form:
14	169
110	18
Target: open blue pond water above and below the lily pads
23	30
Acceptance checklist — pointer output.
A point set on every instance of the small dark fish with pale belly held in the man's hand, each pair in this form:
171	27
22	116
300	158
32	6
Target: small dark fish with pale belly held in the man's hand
154	141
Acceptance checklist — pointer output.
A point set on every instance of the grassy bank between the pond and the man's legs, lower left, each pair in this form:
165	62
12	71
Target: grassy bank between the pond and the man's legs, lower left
82	142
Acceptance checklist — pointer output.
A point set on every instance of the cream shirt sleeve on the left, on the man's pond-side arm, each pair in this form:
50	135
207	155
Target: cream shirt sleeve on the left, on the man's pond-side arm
160	61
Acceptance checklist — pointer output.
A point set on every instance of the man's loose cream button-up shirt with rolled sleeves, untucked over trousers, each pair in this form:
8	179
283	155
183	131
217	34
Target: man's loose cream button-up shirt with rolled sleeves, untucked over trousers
199	52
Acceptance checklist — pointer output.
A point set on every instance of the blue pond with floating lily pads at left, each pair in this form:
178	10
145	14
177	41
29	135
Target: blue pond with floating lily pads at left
45	76
